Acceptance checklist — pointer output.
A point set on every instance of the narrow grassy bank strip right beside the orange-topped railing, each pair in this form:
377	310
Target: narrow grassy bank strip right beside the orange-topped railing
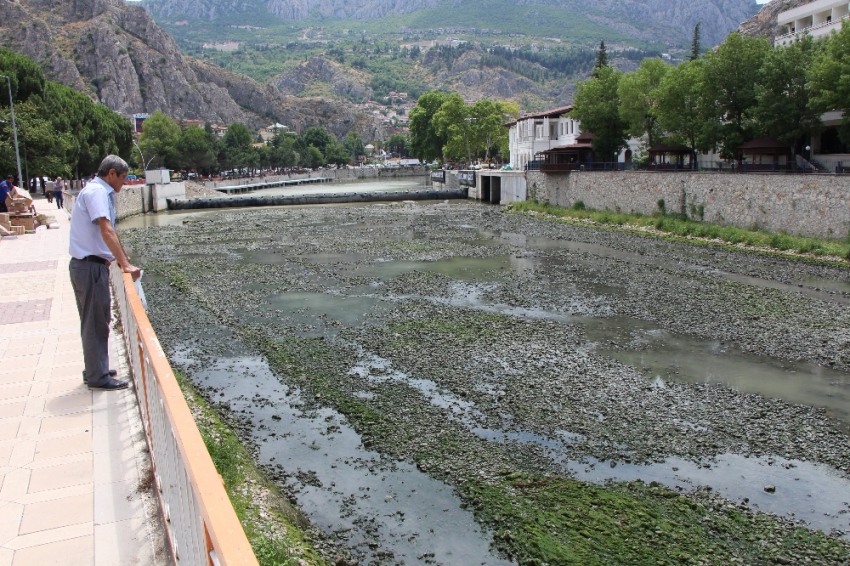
277	537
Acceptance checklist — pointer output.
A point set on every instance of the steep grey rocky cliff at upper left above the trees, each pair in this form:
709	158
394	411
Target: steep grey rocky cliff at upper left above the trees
122	58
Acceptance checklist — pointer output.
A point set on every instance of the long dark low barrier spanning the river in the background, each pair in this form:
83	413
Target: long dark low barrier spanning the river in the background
328	198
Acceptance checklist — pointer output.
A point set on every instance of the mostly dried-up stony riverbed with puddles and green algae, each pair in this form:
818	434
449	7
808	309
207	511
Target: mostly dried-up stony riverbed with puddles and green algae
447	383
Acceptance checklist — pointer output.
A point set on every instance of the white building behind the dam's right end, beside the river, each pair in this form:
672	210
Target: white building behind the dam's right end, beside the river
537	132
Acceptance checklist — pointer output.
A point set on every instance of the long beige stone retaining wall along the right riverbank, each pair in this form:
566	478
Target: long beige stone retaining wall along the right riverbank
811	205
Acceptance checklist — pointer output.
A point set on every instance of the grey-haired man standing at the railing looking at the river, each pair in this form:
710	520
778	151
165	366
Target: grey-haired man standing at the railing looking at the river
94	246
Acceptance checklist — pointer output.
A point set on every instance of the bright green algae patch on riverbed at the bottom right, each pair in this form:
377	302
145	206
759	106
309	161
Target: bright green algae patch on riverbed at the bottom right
545	520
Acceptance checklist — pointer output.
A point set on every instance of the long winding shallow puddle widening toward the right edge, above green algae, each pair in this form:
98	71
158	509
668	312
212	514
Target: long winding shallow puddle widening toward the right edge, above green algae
811	492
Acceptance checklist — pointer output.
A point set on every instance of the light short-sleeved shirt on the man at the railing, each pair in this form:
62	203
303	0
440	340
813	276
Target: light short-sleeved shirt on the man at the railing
96	200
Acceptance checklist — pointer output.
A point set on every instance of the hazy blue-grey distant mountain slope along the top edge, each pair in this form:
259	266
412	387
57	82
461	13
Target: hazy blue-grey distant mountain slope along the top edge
668	21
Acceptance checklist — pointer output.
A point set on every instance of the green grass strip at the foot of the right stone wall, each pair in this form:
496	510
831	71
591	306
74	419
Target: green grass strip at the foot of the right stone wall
676	225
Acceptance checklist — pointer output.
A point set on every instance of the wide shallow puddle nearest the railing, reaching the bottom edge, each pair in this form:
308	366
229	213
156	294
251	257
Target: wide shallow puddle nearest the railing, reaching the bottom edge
372	505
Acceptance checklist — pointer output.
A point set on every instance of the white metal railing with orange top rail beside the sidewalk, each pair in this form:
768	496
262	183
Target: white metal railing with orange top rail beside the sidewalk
203	529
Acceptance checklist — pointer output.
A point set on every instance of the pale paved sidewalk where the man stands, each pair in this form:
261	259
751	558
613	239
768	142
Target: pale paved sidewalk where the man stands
74	468
